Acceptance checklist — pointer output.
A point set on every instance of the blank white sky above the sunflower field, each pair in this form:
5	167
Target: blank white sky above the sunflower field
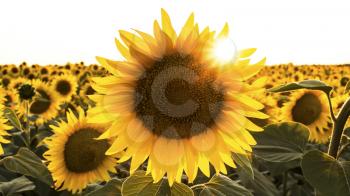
55	32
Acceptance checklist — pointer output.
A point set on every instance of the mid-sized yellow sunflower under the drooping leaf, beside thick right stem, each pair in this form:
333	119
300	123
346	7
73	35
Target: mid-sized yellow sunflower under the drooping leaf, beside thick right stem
311	109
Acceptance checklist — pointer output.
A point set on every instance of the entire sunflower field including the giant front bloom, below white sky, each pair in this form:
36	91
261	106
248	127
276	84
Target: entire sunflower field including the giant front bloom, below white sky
173	119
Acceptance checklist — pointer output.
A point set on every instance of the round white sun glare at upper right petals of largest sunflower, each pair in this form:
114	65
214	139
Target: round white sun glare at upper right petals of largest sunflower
225	50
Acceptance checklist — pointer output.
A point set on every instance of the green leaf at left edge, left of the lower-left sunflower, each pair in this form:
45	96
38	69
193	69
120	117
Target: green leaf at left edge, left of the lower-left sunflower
27	163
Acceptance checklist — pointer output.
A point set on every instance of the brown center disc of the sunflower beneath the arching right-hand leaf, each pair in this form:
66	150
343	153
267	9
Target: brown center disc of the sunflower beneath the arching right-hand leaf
307	109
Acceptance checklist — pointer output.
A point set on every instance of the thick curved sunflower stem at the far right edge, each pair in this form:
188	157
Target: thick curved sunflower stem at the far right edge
338	128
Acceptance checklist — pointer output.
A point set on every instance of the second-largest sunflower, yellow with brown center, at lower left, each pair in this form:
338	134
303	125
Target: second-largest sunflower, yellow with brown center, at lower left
75	157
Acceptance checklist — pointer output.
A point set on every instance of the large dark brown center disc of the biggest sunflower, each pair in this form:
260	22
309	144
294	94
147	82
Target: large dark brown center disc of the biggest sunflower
177	97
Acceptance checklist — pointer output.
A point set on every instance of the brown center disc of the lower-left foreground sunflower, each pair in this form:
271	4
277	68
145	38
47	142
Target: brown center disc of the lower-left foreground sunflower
82	152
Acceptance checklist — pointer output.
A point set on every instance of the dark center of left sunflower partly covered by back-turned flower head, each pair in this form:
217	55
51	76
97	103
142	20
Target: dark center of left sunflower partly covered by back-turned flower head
42	104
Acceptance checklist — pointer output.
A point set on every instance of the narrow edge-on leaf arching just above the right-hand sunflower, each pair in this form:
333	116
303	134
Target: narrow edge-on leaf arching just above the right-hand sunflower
306	84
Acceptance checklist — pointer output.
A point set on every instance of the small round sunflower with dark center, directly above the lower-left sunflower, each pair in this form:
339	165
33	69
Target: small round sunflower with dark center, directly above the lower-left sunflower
65	86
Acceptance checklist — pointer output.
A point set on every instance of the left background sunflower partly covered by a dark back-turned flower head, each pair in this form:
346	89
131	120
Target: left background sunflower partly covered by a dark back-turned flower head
45	104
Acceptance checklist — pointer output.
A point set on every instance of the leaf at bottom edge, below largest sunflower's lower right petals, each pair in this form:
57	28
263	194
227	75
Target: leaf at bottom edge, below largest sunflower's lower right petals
221	185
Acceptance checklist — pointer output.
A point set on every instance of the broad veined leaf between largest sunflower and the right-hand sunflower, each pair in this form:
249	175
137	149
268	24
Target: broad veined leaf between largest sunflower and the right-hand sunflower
281	142
